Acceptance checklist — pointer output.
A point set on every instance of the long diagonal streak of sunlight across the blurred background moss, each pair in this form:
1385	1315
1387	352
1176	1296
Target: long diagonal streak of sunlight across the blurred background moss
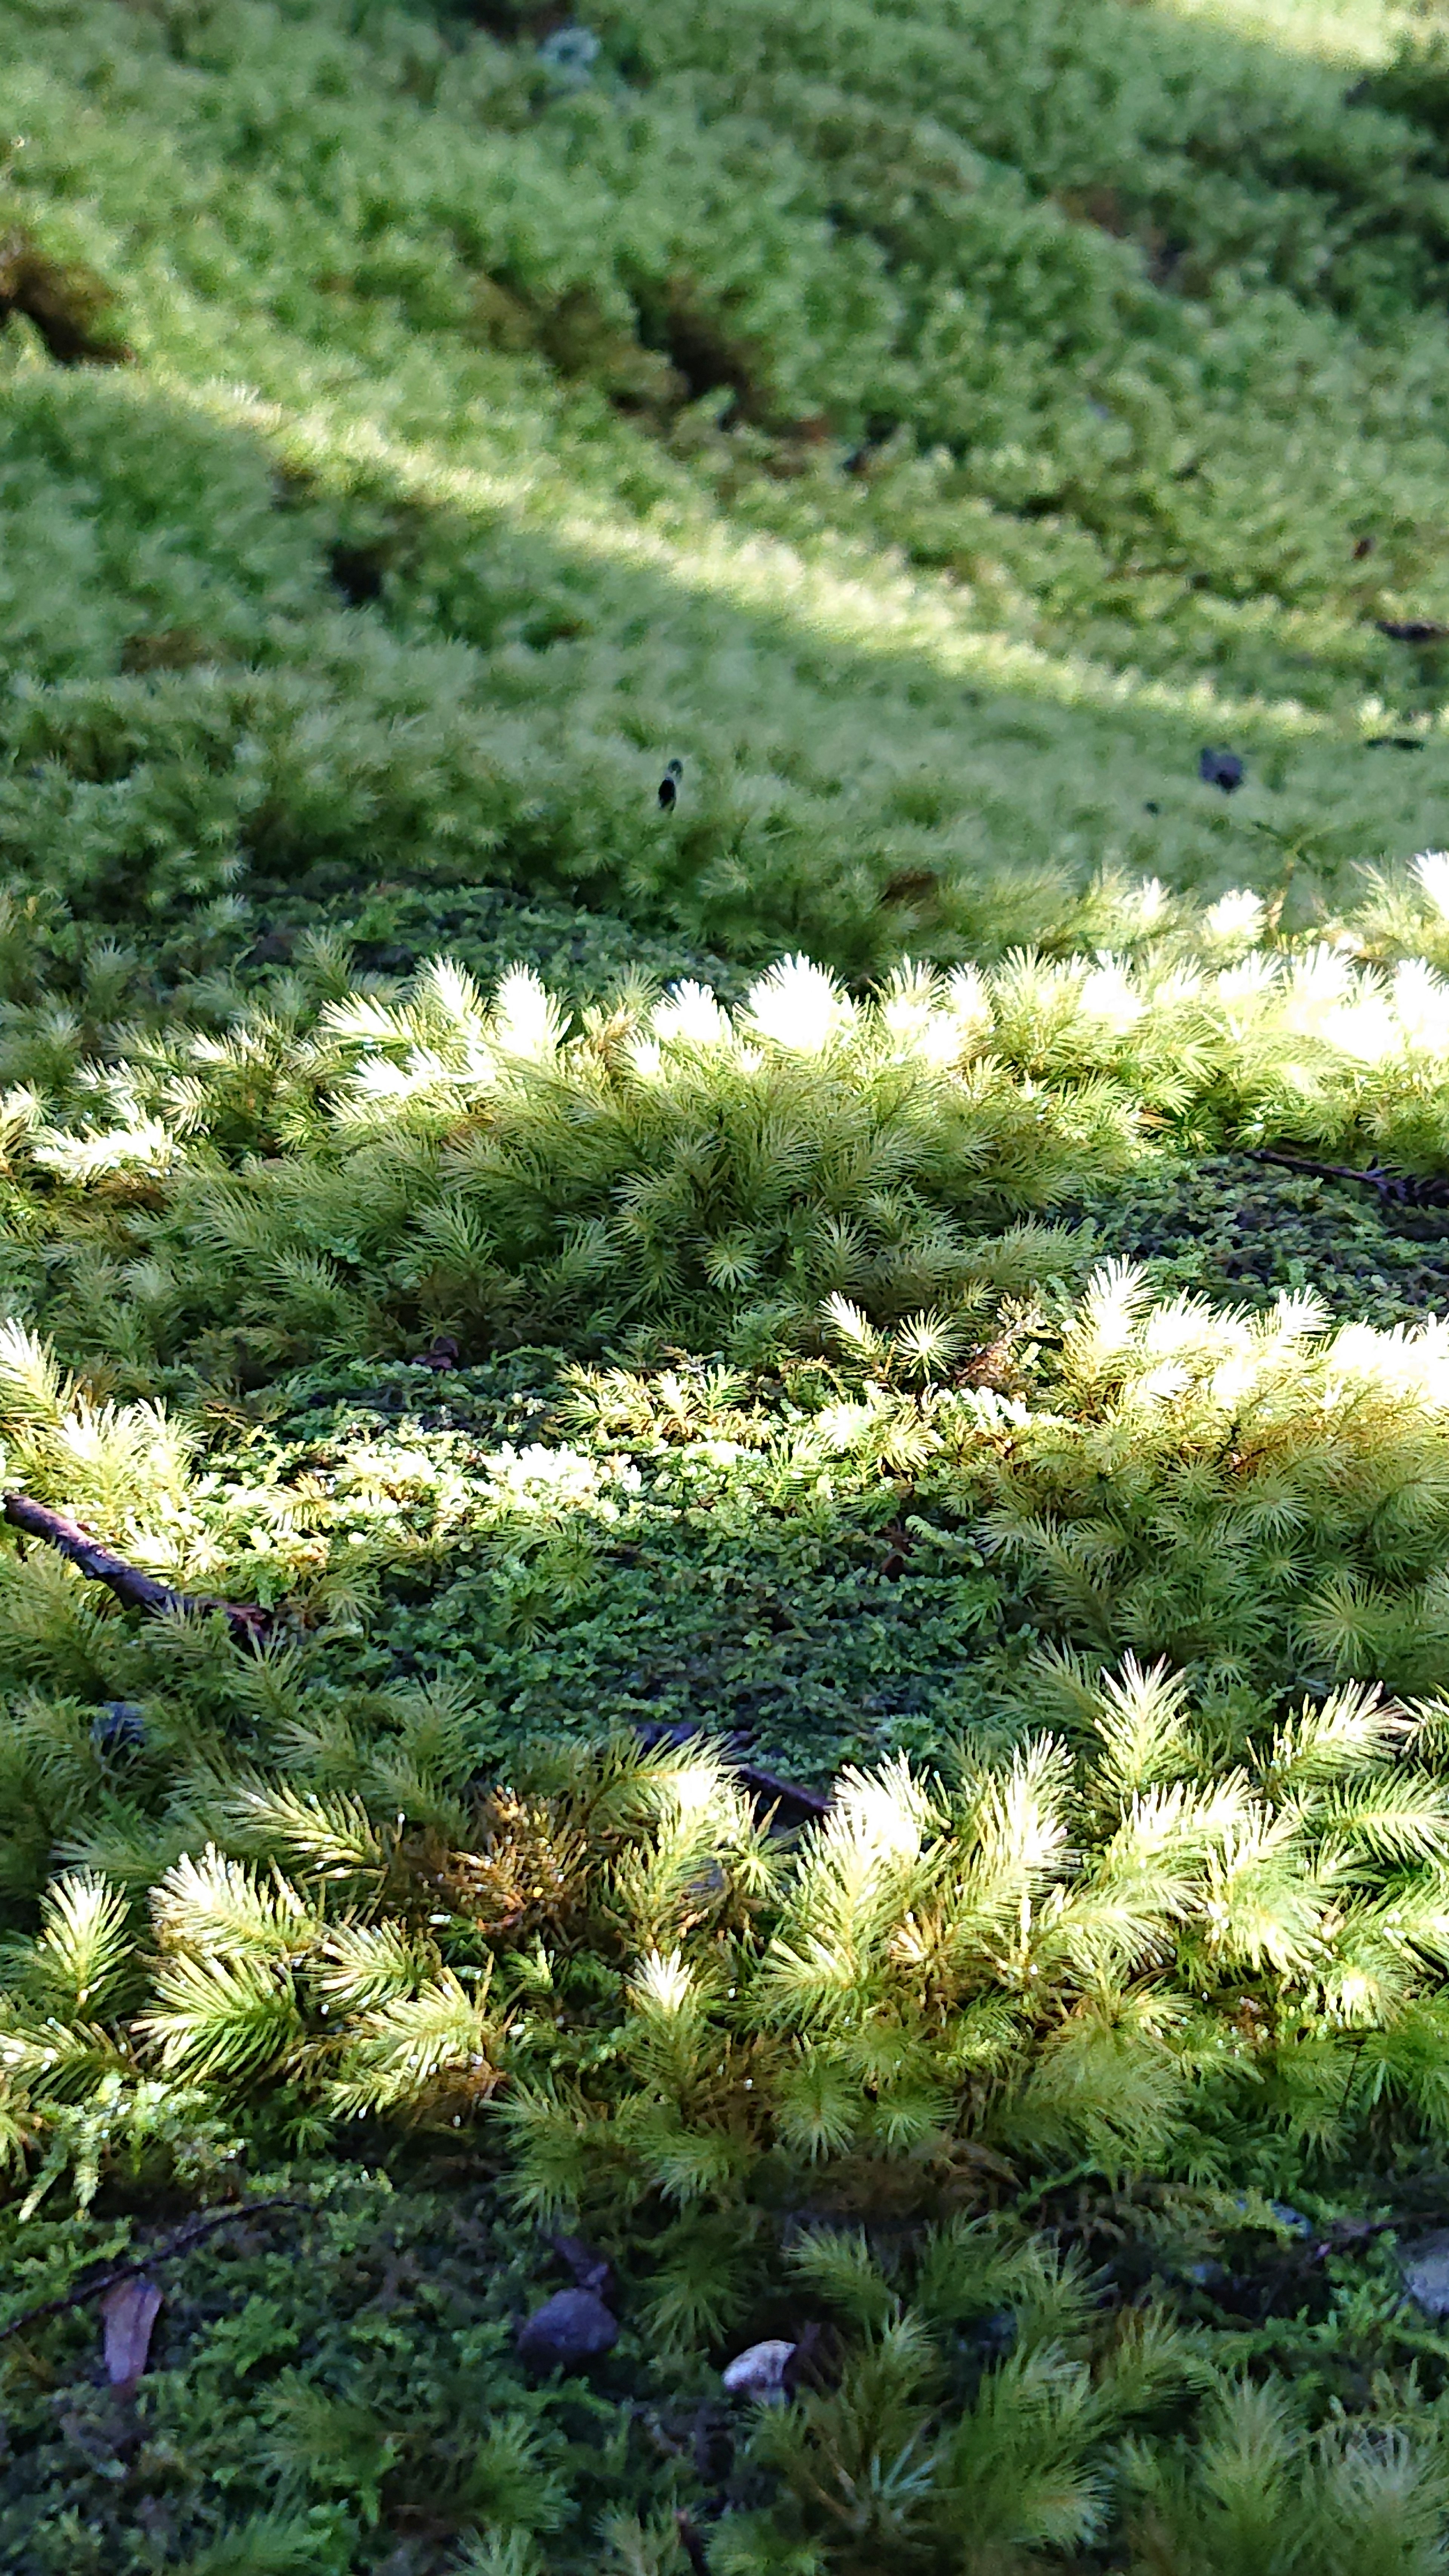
837	594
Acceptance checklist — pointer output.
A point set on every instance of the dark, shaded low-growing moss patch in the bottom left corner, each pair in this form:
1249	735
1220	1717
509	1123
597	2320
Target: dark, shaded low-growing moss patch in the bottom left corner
326	2376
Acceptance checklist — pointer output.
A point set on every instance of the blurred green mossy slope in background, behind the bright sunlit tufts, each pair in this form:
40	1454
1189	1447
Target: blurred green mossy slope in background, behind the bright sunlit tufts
432	599
